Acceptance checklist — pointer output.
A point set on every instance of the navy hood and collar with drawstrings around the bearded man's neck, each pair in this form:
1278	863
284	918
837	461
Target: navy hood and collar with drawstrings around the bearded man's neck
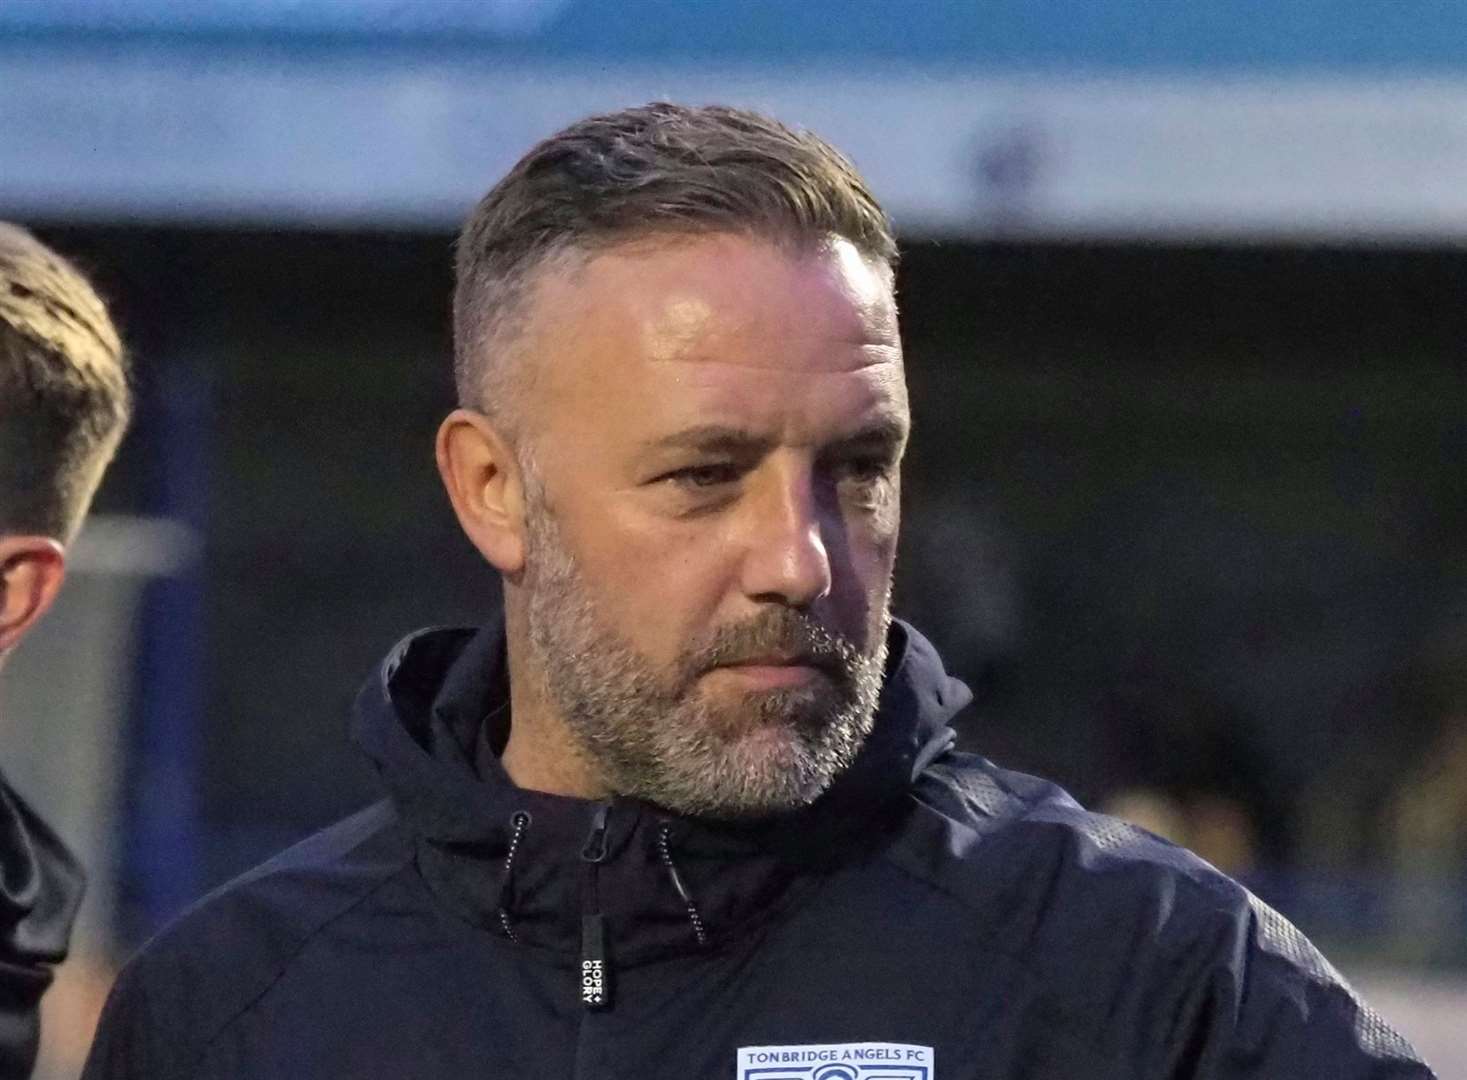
514	861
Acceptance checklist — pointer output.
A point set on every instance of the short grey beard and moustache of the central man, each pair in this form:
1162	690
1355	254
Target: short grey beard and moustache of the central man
654	737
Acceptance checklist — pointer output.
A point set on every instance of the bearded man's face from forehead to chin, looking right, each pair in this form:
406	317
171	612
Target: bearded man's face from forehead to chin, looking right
712	514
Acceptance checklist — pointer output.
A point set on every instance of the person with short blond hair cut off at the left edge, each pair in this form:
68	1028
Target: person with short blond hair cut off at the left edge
64	406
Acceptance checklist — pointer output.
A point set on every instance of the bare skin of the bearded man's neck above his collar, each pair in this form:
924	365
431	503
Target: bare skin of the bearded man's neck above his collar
542	755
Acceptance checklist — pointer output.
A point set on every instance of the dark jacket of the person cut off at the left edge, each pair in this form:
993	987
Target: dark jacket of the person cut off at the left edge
40	890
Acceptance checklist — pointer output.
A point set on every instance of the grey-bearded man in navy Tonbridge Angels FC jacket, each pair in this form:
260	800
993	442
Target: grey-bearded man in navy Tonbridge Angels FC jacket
692	809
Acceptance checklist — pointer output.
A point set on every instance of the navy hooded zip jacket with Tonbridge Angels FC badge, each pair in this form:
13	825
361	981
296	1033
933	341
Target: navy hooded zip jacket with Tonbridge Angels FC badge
931	918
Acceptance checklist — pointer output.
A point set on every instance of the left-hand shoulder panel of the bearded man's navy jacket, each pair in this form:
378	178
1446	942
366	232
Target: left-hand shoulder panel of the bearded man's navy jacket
230	949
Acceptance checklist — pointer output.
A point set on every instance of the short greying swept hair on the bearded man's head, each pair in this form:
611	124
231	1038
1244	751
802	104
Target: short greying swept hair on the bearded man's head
648	172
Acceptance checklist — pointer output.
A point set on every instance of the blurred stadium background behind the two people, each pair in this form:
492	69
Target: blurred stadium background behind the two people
1185	306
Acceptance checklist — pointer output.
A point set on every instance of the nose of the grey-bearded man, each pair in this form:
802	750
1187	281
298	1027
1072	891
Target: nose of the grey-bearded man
787	560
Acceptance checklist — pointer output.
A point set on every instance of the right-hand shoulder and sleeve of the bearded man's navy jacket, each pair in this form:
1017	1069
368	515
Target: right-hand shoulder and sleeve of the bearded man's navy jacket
1113	921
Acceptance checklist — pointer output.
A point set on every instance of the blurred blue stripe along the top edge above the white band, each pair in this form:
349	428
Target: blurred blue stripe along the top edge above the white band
1104	36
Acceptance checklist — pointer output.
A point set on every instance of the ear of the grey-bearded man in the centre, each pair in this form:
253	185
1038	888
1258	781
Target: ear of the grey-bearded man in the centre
485	485
